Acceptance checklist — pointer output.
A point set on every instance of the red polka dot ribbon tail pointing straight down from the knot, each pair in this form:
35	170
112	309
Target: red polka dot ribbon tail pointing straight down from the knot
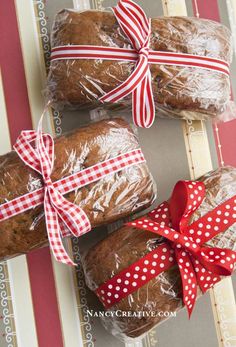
189	280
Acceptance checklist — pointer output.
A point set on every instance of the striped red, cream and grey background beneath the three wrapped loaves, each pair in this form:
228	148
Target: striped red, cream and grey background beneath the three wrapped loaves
42	303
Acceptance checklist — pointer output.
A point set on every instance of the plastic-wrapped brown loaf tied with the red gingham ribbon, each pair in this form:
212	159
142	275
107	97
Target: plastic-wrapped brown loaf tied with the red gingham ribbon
113	197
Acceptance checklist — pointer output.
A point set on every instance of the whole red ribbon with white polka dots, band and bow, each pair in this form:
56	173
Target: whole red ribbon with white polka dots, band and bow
183	244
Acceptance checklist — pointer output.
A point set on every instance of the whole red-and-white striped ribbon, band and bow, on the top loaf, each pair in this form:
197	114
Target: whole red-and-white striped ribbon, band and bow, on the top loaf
137	27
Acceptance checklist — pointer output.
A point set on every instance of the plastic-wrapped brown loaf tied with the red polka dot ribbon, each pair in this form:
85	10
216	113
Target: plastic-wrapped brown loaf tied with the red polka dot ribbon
128	244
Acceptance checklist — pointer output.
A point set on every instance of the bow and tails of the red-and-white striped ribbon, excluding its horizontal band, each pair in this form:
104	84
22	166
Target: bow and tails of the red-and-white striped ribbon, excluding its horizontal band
137	28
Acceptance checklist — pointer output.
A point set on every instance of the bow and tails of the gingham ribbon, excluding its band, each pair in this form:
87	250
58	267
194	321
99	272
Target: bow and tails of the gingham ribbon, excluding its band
62	217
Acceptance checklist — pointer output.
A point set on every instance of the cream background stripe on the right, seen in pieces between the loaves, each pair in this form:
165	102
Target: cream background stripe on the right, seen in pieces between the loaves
199	158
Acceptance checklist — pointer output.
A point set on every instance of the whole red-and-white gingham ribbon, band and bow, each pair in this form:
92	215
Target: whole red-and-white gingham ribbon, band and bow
63	218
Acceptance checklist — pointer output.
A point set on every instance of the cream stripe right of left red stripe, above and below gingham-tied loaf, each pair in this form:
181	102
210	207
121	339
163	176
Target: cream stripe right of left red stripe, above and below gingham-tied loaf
36	77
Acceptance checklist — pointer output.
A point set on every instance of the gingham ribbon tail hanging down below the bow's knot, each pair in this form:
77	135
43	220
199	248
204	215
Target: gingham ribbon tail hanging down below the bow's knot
54	235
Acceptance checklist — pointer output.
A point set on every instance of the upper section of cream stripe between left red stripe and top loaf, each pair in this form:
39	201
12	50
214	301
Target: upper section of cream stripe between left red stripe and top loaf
33	60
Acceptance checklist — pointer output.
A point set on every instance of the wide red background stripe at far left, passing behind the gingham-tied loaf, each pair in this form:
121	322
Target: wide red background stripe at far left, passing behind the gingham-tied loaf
19	117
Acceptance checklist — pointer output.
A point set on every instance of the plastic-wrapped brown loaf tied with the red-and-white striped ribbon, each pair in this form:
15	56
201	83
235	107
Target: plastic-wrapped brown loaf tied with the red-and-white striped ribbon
76	83
